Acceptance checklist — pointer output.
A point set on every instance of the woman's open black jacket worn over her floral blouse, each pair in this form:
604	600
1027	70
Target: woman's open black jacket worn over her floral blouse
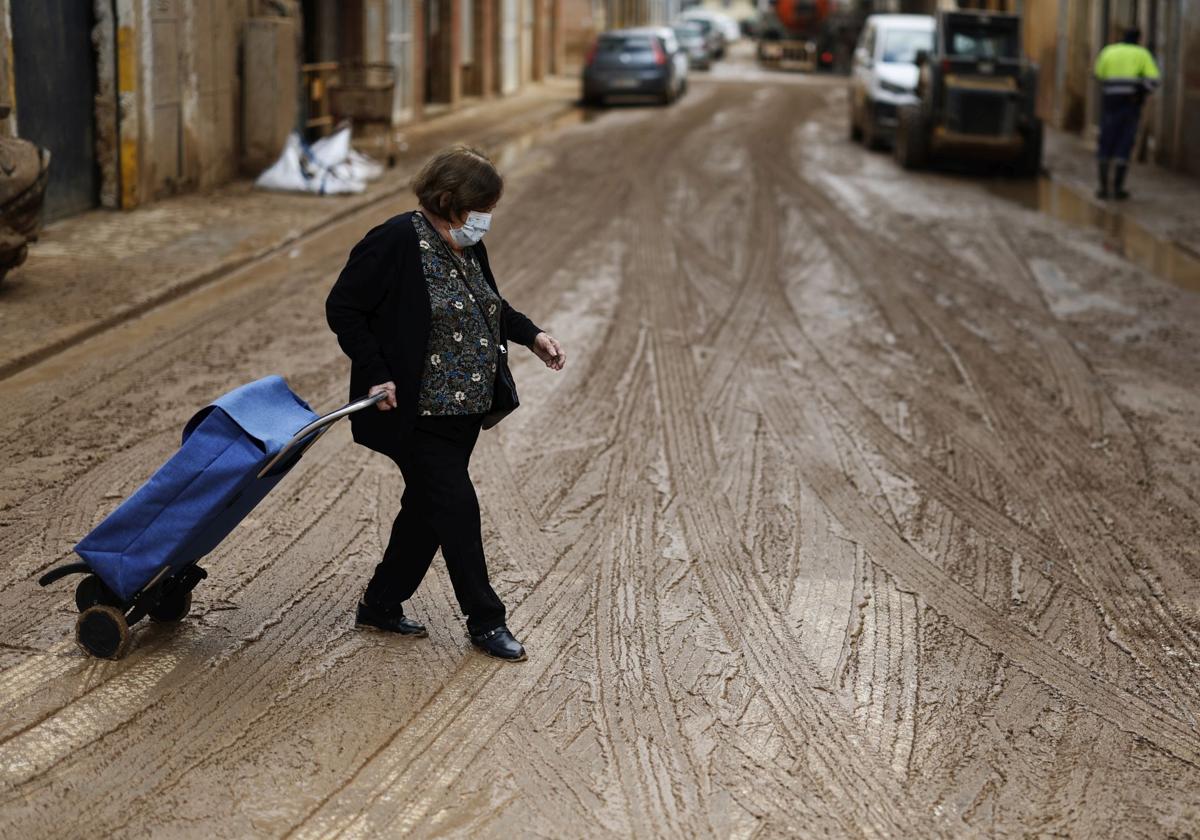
380	310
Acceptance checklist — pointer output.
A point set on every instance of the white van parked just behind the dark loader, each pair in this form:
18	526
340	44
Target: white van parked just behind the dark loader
885	74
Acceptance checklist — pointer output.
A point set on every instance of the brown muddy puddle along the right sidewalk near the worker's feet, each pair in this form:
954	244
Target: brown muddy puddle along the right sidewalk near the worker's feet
1123	235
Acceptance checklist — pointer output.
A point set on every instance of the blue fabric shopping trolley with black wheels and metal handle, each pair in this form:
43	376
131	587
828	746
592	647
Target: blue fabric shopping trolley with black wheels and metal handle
142	559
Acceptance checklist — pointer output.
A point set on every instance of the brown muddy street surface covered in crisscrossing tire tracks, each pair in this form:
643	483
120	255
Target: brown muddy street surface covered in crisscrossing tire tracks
866	507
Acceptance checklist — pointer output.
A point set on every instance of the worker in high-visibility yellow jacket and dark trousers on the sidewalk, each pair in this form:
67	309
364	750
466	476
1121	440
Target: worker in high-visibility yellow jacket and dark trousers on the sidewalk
1129	74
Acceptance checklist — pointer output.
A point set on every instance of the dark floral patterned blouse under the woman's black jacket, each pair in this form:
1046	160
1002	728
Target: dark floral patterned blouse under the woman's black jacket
460	363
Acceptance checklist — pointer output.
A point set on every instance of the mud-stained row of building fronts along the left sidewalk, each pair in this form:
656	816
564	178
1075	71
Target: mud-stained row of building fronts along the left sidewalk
145	99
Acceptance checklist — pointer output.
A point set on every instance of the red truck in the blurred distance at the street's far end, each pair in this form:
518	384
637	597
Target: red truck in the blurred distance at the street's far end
811	34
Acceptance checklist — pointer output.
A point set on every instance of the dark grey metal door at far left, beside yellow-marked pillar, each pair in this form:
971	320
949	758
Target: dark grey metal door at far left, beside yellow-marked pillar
56	83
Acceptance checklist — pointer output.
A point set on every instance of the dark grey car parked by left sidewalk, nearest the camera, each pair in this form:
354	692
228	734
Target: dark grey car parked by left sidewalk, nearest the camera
645	62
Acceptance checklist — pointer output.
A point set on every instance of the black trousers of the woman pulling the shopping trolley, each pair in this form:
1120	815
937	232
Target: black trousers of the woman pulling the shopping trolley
440	509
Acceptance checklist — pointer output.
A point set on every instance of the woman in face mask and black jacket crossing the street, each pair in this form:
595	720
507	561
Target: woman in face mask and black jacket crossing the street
418	313
